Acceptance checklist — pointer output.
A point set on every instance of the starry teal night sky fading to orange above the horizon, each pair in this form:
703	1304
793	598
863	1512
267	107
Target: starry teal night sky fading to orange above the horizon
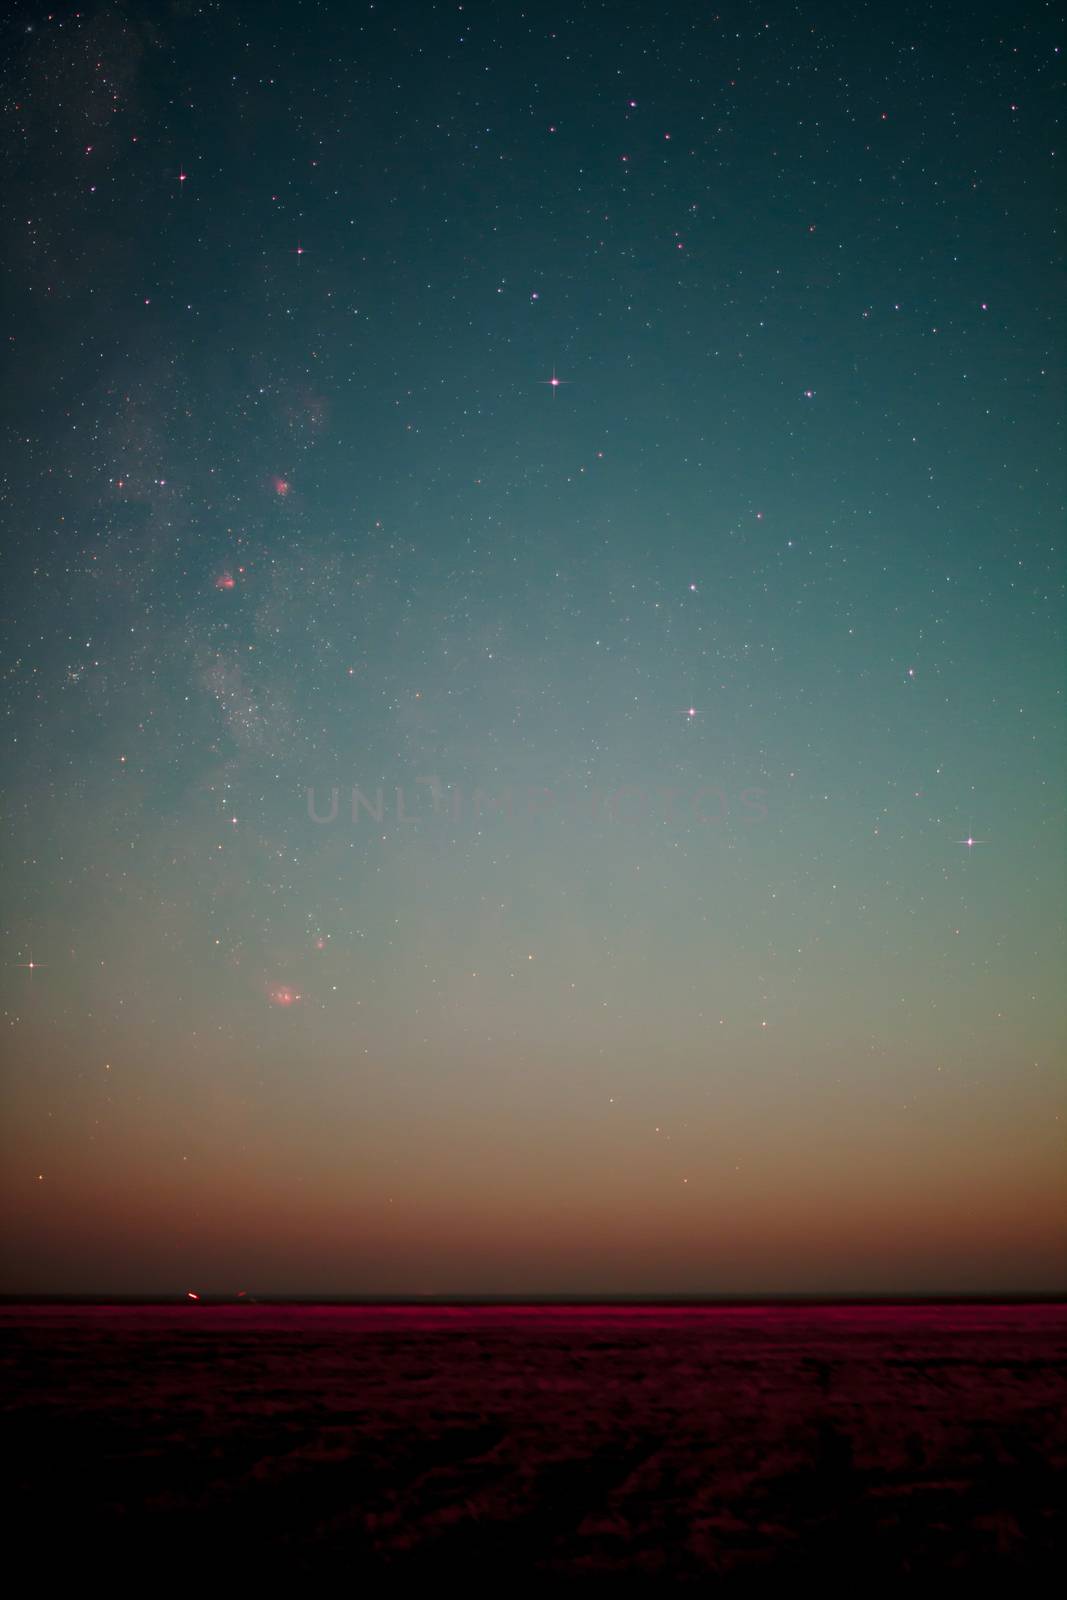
533	649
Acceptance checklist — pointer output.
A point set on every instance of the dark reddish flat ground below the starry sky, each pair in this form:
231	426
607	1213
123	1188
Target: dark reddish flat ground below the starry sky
569	1447
